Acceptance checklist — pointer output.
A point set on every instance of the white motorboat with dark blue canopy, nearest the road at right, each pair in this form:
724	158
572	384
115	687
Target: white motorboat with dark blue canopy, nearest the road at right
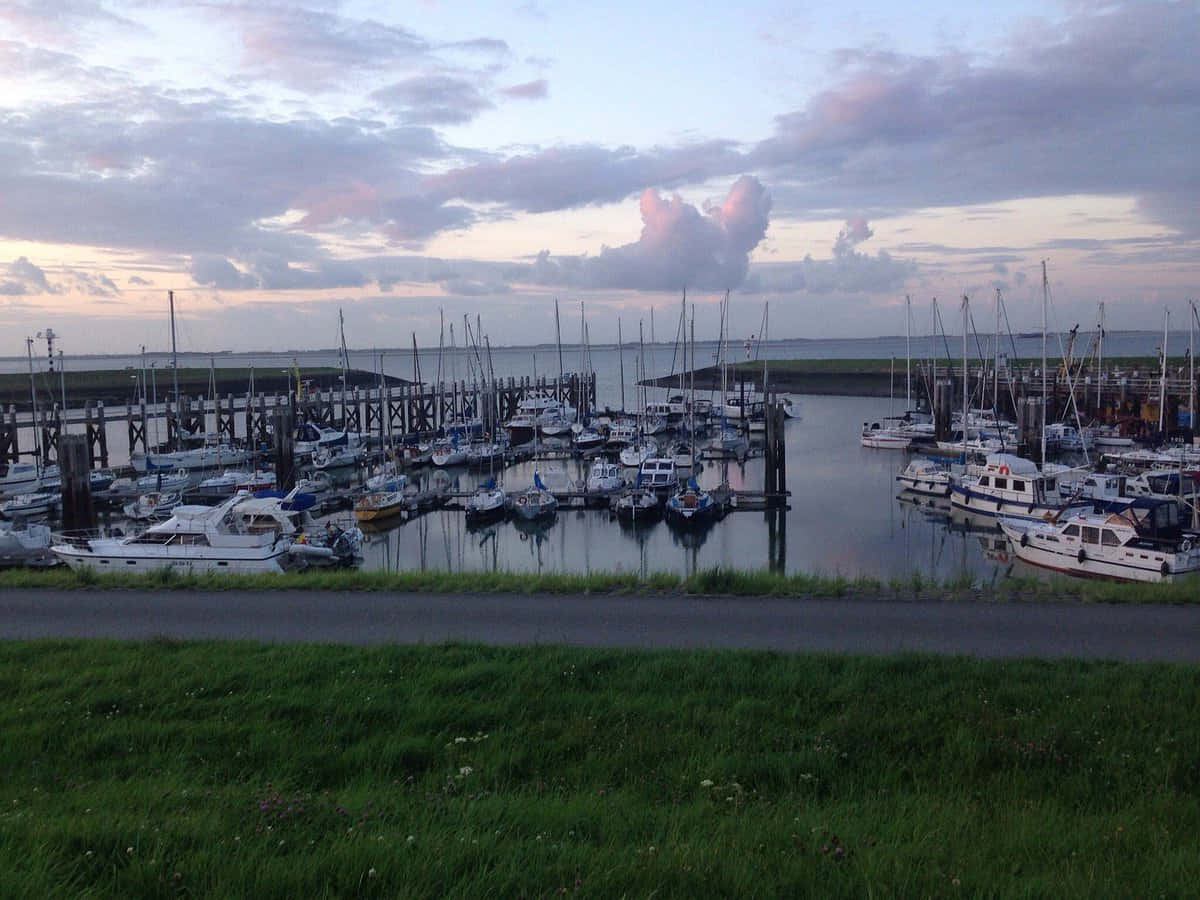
1143	542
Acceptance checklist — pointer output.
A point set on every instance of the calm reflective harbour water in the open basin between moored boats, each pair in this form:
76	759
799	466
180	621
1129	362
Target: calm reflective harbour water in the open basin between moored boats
844	520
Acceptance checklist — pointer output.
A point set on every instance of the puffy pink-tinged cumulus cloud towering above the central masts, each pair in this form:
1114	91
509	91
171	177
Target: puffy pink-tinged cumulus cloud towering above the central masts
680	247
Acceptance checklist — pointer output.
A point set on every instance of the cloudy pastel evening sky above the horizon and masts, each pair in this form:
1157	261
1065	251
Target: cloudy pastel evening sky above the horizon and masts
411	163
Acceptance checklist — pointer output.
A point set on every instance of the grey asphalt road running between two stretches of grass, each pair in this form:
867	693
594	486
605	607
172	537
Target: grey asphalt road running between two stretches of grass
850	626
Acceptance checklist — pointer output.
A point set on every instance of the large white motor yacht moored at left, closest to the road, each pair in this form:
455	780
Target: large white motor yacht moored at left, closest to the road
200	539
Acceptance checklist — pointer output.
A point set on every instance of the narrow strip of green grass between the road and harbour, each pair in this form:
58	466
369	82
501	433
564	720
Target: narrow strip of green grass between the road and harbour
716	581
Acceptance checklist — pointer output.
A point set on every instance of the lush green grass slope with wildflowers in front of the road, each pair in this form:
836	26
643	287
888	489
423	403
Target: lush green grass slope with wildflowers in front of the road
221	770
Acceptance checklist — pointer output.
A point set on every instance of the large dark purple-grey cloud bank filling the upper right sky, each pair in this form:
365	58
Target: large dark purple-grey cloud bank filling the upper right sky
1100	104
